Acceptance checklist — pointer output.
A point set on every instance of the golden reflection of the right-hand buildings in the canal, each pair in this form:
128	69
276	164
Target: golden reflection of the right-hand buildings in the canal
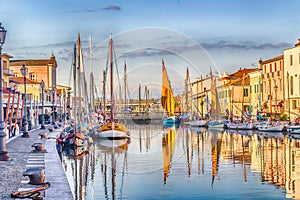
274	157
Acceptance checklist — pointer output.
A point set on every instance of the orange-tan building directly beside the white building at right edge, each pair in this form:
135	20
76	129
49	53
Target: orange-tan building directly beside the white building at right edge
272	84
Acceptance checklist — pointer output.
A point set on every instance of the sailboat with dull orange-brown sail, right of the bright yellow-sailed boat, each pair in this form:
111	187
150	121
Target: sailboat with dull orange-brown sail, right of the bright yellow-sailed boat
215	122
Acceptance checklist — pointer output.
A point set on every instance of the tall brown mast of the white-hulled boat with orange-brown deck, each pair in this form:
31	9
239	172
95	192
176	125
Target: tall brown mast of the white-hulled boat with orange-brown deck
111	79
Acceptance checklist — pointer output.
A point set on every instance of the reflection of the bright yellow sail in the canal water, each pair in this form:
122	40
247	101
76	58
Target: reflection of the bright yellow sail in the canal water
168	146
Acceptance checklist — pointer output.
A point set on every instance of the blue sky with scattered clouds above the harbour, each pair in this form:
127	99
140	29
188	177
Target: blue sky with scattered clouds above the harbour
224	35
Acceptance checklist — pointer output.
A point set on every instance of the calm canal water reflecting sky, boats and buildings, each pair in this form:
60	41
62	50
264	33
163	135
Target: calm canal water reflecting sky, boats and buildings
185	163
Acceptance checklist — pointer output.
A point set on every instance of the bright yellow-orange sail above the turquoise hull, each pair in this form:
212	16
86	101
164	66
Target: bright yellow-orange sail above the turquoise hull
167	98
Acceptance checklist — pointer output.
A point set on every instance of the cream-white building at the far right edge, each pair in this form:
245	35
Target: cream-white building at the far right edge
292	79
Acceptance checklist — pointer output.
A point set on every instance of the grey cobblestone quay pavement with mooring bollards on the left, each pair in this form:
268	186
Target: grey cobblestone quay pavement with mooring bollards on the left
19	150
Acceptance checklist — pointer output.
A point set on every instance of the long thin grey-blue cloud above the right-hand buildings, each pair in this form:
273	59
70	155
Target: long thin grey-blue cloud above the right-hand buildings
245	45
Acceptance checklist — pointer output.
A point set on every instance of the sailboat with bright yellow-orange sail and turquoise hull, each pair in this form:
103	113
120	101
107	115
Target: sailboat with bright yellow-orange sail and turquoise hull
167	98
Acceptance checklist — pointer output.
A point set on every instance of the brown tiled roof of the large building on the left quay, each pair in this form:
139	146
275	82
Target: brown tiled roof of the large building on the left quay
35	62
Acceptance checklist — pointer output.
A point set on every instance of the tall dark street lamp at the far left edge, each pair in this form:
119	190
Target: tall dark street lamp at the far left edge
3	152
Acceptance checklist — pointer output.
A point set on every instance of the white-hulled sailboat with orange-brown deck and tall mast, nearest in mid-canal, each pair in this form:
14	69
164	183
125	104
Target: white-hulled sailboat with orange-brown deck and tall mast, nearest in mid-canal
112	129
